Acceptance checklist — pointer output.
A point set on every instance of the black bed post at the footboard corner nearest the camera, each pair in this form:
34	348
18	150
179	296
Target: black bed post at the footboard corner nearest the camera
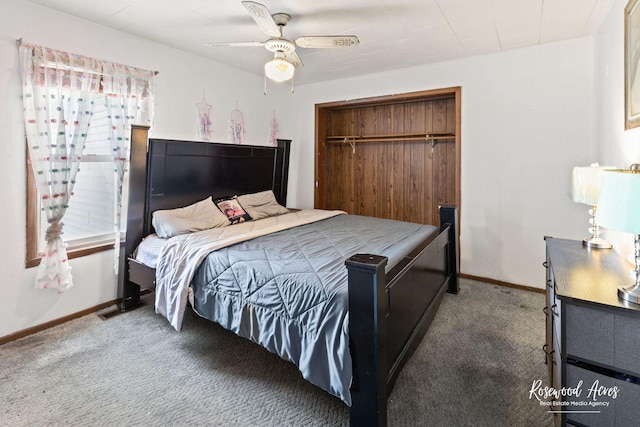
368	307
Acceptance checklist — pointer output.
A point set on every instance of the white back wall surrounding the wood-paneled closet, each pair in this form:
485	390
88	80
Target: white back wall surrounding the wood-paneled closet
527	119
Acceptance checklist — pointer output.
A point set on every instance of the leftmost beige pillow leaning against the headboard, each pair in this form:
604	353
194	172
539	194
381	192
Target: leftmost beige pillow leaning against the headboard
196	217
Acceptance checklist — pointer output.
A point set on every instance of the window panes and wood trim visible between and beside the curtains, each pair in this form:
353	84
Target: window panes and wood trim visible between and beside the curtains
89	220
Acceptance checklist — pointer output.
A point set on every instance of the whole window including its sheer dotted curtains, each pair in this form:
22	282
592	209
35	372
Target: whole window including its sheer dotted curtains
68	98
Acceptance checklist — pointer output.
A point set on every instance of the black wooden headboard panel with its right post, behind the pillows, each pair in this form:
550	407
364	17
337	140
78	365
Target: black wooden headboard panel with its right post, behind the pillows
180	173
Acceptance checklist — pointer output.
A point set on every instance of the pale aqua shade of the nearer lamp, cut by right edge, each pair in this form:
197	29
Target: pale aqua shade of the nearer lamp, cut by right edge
619	201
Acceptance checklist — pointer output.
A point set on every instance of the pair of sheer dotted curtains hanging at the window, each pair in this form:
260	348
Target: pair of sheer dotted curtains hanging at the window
59	91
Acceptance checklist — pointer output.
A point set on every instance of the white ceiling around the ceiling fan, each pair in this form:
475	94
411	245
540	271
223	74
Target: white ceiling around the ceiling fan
393	33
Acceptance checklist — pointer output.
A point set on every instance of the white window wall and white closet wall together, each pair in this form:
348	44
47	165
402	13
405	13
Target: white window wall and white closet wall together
527	119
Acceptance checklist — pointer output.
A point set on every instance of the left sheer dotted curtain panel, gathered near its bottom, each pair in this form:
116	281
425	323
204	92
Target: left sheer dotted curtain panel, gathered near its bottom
59	91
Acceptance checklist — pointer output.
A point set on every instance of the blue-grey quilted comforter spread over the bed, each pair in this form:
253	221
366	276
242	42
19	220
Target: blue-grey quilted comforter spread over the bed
287	291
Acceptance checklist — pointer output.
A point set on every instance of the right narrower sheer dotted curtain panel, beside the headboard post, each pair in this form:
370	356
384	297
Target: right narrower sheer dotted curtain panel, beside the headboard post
129	97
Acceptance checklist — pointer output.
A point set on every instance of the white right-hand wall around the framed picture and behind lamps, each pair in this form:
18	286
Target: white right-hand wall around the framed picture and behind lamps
616	146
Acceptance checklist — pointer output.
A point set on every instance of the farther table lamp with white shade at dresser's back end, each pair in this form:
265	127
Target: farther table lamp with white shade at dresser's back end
585	187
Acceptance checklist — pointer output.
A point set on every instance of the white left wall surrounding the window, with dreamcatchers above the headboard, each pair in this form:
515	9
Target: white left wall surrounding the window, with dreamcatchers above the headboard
180	86
